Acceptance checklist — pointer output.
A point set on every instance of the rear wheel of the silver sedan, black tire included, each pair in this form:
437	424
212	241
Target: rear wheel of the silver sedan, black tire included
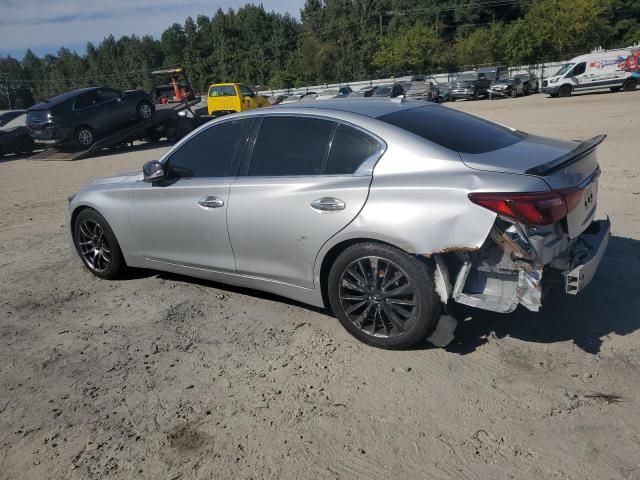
387	302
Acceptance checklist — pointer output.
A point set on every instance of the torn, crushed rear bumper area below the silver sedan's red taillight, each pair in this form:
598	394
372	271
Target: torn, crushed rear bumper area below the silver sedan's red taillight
508	270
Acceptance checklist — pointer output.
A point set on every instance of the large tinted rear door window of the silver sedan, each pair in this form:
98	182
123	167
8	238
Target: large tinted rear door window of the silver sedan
290	146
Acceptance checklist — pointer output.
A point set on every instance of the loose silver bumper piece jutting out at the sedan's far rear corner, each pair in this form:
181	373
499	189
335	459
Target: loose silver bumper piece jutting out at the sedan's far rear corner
592	245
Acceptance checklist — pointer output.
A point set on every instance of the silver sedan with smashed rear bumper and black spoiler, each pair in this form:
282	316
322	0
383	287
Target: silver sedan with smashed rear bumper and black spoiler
386	212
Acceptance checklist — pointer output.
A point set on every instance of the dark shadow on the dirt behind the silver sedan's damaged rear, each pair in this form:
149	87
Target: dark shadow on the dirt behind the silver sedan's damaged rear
609	305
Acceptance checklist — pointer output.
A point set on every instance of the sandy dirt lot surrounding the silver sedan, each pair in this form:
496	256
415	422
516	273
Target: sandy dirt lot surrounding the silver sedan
164	377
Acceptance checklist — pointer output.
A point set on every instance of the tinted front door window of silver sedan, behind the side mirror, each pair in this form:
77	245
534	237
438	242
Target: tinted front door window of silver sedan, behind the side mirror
210	153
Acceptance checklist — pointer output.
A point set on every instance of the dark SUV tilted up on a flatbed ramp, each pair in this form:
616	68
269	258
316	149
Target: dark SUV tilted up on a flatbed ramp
82	117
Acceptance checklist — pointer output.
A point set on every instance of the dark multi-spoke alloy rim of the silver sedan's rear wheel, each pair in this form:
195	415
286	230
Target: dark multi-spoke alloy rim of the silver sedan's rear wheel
378	297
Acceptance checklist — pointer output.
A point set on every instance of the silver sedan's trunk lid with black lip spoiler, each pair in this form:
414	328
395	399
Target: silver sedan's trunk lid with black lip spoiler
563	165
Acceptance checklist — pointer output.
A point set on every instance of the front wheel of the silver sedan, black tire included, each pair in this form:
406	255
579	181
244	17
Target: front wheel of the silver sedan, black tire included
108	262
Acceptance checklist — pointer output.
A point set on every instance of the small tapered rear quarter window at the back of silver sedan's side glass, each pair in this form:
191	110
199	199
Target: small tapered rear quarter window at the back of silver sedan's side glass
349	149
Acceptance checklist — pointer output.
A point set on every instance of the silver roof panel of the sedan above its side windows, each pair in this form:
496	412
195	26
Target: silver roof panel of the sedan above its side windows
362	106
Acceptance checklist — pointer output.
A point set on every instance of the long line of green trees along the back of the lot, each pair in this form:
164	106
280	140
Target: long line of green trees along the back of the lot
333	40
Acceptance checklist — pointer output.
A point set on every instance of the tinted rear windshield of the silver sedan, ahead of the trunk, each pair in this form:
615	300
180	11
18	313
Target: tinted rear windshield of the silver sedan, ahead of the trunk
453	129
